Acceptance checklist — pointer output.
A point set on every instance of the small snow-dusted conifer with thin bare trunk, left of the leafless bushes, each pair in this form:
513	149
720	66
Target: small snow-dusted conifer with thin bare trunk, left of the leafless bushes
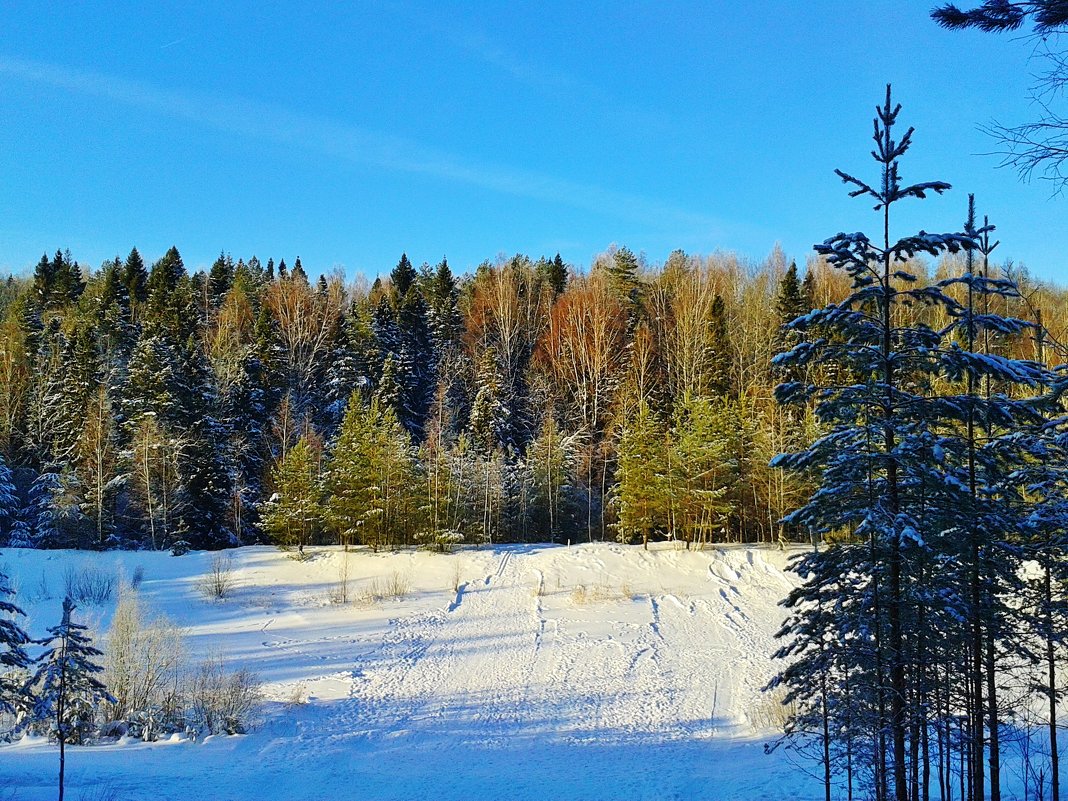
66	684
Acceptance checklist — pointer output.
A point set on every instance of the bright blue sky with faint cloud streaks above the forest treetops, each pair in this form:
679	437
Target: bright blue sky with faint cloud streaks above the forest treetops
347	136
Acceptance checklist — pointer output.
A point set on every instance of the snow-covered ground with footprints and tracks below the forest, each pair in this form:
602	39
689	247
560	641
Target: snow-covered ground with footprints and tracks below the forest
592	672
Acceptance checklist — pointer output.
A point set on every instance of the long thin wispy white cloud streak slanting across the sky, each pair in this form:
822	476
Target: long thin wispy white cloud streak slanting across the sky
354	145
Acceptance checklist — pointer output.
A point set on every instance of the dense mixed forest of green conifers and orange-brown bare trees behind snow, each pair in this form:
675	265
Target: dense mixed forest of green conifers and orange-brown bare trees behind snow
152	407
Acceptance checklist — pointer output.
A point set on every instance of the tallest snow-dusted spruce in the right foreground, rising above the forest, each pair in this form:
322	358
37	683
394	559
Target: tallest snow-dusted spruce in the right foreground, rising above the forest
881	469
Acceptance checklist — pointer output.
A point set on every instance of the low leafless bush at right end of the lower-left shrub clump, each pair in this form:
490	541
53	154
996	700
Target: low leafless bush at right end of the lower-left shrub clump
223	702
